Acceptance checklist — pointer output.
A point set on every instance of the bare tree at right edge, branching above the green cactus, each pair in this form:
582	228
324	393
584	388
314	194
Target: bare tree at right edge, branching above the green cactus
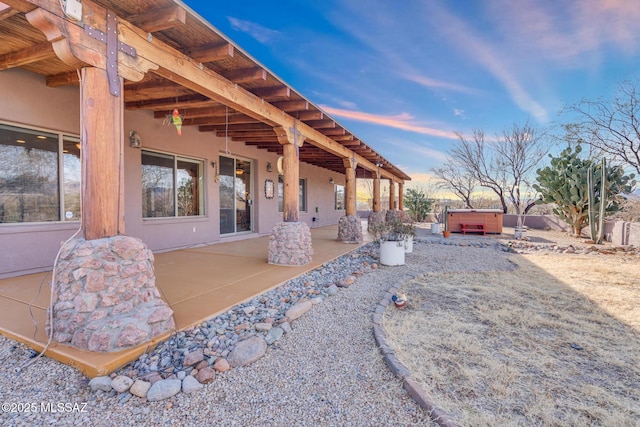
611	126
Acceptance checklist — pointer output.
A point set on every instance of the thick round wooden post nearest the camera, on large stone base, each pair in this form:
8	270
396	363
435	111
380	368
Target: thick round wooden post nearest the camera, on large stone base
101	127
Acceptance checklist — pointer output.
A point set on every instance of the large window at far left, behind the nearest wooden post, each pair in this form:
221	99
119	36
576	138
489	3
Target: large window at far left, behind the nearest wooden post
39	176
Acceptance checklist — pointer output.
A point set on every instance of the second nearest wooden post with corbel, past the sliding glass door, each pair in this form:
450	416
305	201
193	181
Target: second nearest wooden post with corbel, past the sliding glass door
291	142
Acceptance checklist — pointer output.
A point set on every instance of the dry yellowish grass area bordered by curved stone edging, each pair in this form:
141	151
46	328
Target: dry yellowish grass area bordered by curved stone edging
555	341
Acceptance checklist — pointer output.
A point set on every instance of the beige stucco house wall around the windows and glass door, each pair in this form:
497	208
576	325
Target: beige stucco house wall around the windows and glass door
32	247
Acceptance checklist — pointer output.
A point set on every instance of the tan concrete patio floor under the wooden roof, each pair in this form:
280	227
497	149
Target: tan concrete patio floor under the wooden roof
198	283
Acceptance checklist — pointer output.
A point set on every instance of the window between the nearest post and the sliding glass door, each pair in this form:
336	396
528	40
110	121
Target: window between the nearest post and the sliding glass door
171	186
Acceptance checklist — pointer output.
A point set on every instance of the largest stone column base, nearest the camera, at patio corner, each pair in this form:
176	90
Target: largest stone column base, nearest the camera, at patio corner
105	297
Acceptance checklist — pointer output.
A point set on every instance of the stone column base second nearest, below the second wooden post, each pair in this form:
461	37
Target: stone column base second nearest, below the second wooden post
290	244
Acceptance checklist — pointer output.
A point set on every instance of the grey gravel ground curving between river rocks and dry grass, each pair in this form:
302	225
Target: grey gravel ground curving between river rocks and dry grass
327	371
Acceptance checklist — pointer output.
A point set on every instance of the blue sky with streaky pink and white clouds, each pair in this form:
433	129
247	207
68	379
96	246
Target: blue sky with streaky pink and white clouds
405	76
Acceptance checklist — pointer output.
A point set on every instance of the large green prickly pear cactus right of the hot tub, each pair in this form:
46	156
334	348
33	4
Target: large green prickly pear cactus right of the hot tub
564	183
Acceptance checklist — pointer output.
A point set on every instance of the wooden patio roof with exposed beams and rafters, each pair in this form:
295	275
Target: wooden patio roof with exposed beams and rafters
237	97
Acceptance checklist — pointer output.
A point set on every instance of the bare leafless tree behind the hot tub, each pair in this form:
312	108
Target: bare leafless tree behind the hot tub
505	165
